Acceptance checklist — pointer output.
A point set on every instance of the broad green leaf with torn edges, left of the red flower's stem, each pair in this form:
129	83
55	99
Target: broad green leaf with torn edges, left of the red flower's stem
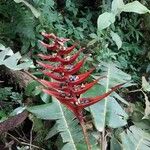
66	124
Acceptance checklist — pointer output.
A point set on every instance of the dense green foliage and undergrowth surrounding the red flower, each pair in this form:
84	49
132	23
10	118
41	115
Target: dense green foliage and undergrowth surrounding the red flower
115	35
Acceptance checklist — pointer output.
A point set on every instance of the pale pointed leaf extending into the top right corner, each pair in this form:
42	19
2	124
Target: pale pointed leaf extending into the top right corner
135	7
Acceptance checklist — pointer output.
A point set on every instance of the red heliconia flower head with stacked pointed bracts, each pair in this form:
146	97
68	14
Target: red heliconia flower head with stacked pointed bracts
68	85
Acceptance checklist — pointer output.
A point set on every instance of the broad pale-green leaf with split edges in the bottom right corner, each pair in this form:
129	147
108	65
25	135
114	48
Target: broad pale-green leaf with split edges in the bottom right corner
135	139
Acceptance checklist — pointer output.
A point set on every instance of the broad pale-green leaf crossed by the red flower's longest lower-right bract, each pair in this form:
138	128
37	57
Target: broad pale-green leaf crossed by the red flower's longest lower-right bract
108	111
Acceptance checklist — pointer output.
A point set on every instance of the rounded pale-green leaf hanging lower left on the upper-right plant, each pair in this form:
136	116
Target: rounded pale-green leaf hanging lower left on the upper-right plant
105	20
